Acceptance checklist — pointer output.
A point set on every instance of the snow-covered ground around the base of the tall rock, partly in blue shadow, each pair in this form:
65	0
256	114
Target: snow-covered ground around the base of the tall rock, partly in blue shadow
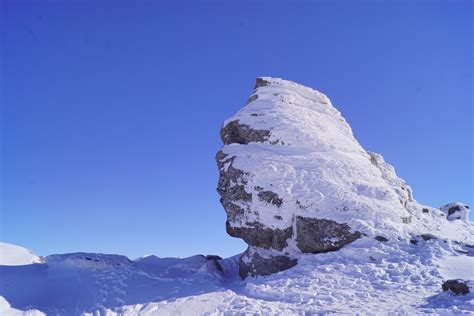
366	276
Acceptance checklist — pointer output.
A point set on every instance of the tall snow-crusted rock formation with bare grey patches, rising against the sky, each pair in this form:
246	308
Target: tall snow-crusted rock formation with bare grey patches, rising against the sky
294	180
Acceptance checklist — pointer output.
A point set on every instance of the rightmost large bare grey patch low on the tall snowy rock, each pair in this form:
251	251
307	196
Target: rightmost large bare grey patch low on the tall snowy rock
322	235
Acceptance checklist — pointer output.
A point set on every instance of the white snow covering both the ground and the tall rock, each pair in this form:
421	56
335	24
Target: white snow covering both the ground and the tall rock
310	166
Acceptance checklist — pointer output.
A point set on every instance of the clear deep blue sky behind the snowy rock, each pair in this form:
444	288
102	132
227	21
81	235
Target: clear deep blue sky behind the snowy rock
112	109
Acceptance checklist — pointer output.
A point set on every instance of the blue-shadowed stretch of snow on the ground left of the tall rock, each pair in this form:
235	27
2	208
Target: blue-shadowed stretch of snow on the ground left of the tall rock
70	284
